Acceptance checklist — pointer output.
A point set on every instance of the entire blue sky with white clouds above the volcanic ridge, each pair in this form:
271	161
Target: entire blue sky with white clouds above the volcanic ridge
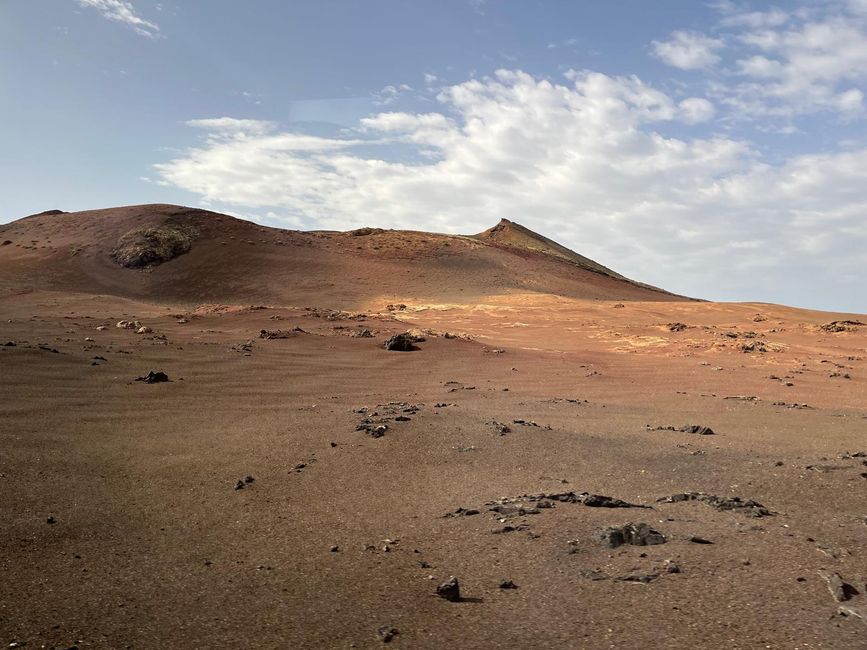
715	149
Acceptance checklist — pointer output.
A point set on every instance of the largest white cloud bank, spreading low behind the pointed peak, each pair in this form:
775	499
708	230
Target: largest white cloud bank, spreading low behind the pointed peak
584	161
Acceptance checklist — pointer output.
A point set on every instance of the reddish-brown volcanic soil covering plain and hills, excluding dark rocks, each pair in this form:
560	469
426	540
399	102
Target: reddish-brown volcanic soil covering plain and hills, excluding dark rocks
540	373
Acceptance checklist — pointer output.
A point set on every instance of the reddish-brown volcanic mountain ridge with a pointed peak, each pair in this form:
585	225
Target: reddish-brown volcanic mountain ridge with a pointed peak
186	255
